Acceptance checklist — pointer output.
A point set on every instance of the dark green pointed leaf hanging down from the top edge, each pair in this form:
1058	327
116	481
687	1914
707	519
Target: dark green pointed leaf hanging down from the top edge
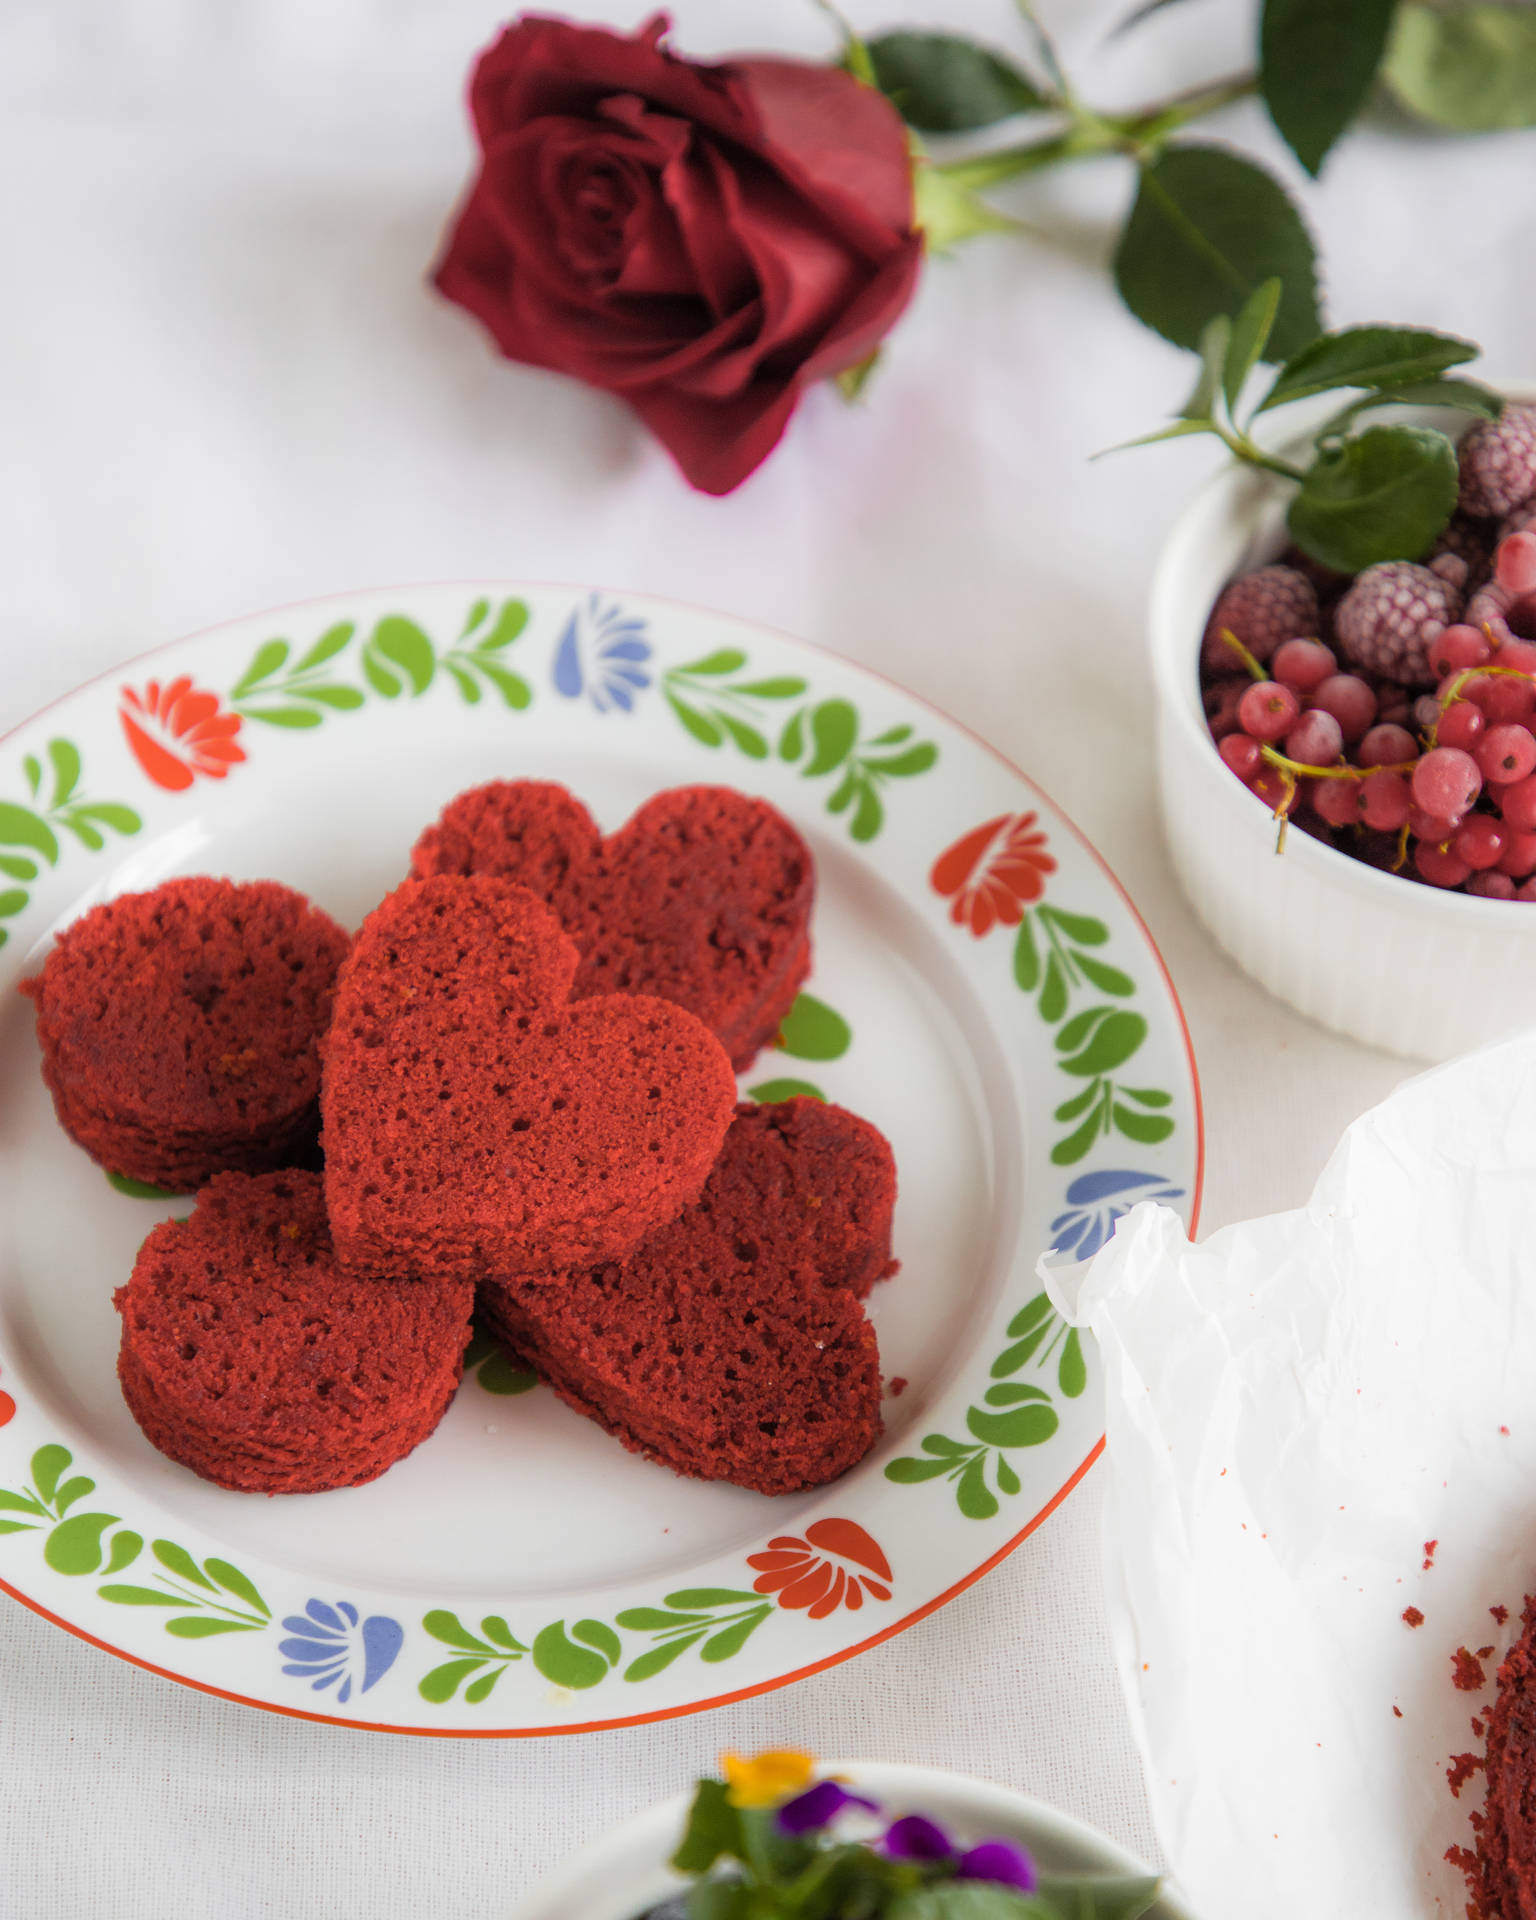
1316	66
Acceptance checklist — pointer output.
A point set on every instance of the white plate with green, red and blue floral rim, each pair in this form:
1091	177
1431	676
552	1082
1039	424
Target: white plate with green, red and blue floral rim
984	992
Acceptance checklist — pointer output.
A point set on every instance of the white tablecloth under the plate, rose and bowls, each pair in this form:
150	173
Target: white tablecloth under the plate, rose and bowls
226	387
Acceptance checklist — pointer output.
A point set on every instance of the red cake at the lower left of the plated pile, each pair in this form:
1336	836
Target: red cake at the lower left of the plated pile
249	1358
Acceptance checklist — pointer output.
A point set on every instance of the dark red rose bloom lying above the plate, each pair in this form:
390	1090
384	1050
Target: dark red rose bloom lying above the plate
704	241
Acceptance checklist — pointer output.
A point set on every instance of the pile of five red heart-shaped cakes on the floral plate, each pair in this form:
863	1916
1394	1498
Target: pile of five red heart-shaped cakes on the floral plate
514	1090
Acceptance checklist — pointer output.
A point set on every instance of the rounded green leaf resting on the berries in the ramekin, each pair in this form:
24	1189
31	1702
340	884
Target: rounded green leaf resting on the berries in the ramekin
1381	496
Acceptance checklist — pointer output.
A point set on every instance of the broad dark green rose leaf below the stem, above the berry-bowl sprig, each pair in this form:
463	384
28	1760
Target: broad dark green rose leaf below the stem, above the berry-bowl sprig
1205	235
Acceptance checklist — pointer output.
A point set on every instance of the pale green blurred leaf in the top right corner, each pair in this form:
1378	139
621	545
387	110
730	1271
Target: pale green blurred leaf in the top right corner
1472	70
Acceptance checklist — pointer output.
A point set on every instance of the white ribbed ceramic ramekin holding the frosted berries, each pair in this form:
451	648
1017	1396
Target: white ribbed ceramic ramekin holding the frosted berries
1376	957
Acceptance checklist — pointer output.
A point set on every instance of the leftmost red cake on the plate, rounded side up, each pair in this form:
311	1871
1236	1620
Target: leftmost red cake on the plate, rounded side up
181	1028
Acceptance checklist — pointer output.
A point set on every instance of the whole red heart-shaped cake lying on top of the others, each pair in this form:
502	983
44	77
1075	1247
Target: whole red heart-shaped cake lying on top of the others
475	1124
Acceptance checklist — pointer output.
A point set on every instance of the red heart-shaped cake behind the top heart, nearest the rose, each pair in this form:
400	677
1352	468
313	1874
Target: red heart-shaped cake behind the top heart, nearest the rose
704	898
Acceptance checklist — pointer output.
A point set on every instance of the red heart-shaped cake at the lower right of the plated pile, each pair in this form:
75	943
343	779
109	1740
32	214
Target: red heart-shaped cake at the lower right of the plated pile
732	1347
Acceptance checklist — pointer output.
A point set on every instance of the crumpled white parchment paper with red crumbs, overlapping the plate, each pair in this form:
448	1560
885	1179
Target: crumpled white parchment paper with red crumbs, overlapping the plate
1297	1408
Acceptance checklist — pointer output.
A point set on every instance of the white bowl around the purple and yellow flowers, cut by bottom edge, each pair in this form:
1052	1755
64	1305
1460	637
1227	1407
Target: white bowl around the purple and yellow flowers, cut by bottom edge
625	1873
